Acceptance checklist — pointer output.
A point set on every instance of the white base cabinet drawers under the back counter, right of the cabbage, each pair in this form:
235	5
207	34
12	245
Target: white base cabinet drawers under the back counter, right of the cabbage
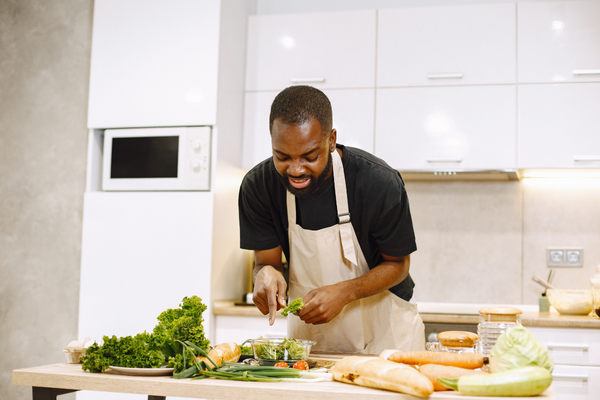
576	355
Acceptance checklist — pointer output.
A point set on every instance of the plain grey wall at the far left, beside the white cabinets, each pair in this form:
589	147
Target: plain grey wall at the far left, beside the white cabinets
44	70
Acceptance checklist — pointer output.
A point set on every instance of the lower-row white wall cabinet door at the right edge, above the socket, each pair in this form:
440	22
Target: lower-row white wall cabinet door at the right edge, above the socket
559	125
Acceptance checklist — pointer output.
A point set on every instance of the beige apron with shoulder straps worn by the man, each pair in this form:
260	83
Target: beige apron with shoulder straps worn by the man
331	255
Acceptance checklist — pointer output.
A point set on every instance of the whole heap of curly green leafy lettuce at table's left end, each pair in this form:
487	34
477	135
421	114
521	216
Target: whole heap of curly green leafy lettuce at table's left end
151	350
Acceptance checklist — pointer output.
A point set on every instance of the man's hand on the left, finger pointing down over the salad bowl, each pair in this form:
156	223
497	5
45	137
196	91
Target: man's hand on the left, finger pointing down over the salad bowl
269	291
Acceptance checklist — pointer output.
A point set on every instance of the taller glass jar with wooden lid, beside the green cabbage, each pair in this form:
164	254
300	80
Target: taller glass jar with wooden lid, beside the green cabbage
494	321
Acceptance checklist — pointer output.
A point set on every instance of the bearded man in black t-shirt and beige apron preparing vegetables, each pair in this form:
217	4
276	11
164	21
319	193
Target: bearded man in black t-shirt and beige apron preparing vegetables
342	219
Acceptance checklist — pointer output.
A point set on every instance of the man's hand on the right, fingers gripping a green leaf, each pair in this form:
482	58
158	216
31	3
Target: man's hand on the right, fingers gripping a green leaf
323	304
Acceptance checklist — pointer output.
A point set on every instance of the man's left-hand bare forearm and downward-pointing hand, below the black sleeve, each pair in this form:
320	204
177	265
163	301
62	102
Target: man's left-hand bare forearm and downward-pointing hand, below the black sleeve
269	284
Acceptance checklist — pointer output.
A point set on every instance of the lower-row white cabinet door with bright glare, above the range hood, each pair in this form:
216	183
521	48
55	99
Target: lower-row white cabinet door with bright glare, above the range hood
447	128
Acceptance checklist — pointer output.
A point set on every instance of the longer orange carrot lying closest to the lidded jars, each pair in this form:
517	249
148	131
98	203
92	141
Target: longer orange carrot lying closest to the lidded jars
462	360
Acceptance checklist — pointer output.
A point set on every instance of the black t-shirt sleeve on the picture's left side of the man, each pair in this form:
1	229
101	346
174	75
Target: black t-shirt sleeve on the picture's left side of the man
257	226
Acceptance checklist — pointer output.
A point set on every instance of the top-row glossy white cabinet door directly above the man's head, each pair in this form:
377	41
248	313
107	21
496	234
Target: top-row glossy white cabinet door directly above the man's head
326	50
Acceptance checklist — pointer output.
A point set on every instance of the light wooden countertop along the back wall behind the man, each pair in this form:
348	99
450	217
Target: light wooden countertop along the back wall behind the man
463	315
